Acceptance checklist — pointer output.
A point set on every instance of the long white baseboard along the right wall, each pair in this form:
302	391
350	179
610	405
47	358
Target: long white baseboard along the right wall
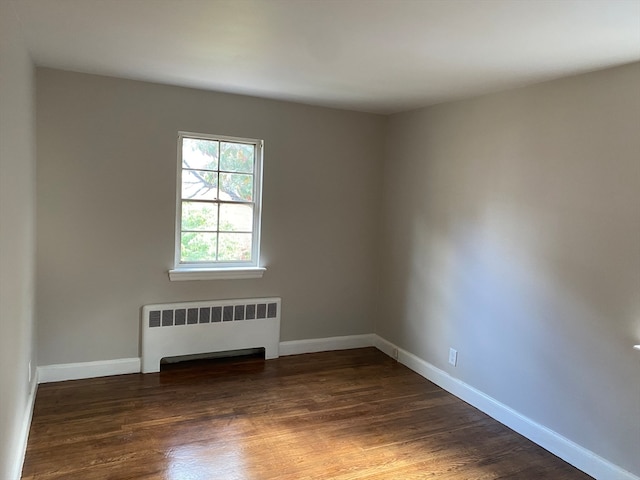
572	453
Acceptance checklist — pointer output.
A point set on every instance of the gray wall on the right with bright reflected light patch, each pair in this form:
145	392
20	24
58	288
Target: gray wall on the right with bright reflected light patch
513	235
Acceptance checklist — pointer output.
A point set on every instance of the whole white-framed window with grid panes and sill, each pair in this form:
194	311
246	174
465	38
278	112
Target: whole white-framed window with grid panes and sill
218	207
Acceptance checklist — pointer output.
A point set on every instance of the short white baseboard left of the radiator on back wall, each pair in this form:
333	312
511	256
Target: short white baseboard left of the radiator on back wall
75	371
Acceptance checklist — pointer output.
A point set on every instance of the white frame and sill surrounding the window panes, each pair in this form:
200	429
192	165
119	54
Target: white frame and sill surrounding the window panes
220	270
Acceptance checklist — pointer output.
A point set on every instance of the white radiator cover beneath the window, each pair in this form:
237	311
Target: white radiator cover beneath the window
174	329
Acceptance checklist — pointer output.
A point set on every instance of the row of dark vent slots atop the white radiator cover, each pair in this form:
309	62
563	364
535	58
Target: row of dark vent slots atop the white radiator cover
212	314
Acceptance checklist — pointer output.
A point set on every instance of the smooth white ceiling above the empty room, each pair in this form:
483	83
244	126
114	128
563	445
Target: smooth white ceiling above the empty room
369	55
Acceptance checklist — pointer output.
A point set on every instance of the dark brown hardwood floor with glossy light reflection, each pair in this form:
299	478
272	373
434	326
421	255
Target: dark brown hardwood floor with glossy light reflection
354	414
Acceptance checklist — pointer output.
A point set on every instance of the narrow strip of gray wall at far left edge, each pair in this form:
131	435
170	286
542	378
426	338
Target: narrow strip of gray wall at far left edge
17	238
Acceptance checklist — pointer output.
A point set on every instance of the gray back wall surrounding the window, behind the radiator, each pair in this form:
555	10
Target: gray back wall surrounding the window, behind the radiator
106	208
